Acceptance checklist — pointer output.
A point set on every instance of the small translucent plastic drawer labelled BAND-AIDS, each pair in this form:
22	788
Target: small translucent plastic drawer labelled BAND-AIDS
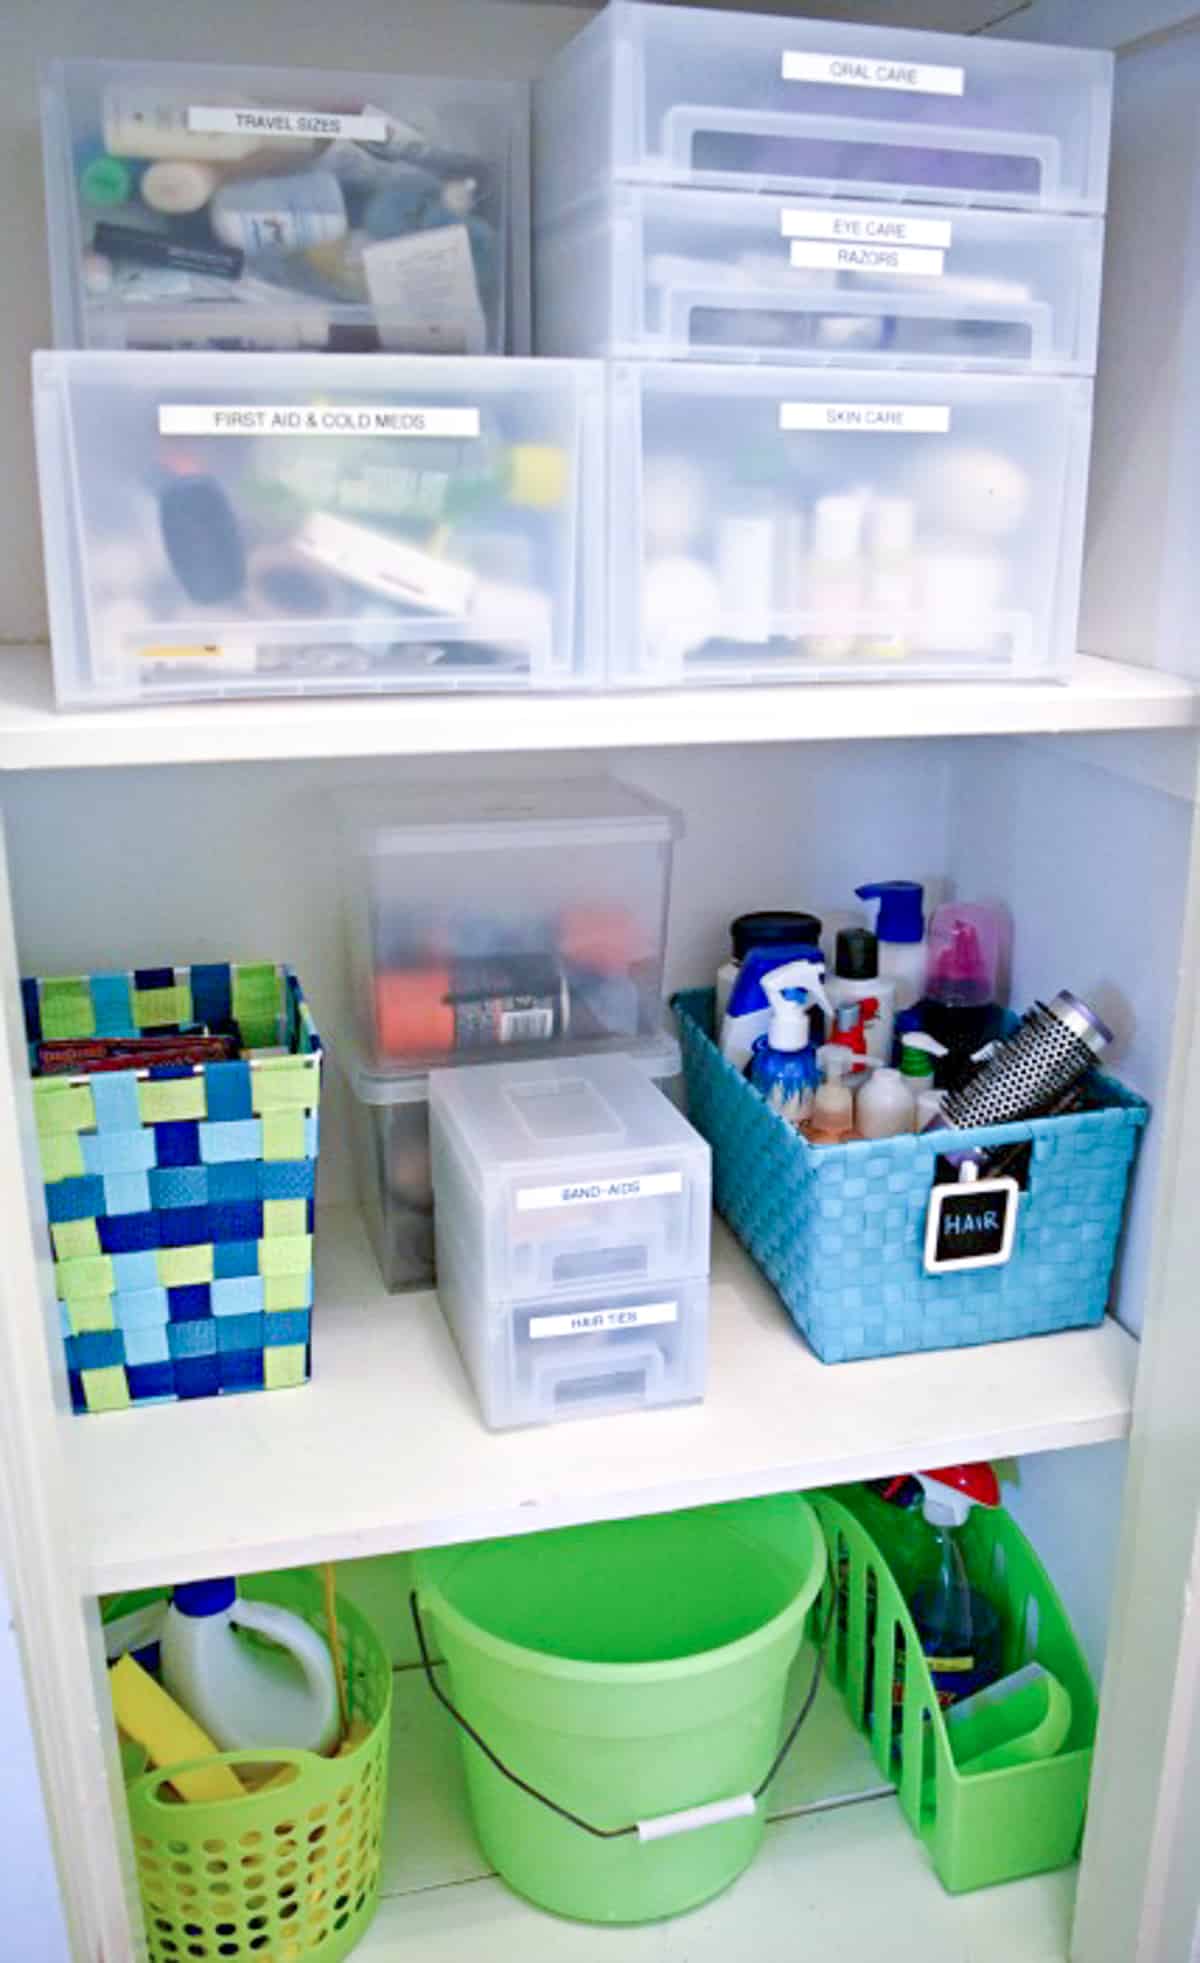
567	1179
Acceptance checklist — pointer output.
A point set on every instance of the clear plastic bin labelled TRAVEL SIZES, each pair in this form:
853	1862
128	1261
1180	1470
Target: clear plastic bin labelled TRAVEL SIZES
276	209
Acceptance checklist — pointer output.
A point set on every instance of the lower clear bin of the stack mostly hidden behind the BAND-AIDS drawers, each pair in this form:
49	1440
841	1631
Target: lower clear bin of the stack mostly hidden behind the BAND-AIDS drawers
392	1157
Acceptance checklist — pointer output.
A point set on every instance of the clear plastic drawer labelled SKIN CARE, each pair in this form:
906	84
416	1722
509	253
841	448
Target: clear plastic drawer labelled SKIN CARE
783	525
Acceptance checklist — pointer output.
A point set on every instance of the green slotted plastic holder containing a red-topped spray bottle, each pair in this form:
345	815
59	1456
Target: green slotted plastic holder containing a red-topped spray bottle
979	1827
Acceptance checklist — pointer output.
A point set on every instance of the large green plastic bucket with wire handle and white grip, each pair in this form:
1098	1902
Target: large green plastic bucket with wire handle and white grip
627	1671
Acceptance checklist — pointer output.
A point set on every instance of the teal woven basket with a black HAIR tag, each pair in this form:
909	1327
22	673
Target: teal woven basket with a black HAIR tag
842	1230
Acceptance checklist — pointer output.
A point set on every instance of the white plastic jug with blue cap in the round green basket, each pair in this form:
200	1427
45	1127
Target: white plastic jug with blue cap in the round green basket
248	1693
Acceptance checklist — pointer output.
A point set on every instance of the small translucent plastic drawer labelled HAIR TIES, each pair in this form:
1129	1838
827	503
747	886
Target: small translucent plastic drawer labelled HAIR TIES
537	1363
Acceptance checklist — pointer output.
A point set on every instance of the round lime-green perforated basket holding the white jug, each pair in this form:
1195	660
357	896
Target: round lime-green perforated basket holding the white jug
280	1876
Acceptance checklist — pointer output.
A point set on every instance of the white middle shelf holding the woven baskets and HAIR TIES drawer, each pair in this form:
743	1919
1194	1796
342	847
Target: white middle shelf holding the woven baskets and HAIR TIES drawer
386	1452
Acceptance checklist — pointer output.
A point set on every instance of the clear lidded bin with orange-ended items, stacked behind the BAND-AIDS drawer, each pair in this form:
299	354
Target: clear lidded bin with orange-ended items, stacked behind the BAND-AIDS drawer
506	920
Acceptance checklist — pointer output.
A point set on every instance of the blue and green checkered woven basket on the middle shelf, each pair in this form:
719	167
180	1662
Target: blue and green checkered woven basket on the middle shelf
182	1198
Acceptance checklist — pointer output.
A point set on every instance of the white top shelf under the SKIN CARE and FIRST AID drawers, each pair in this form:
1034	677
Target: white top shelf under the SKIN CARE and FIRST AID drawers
1101	696
